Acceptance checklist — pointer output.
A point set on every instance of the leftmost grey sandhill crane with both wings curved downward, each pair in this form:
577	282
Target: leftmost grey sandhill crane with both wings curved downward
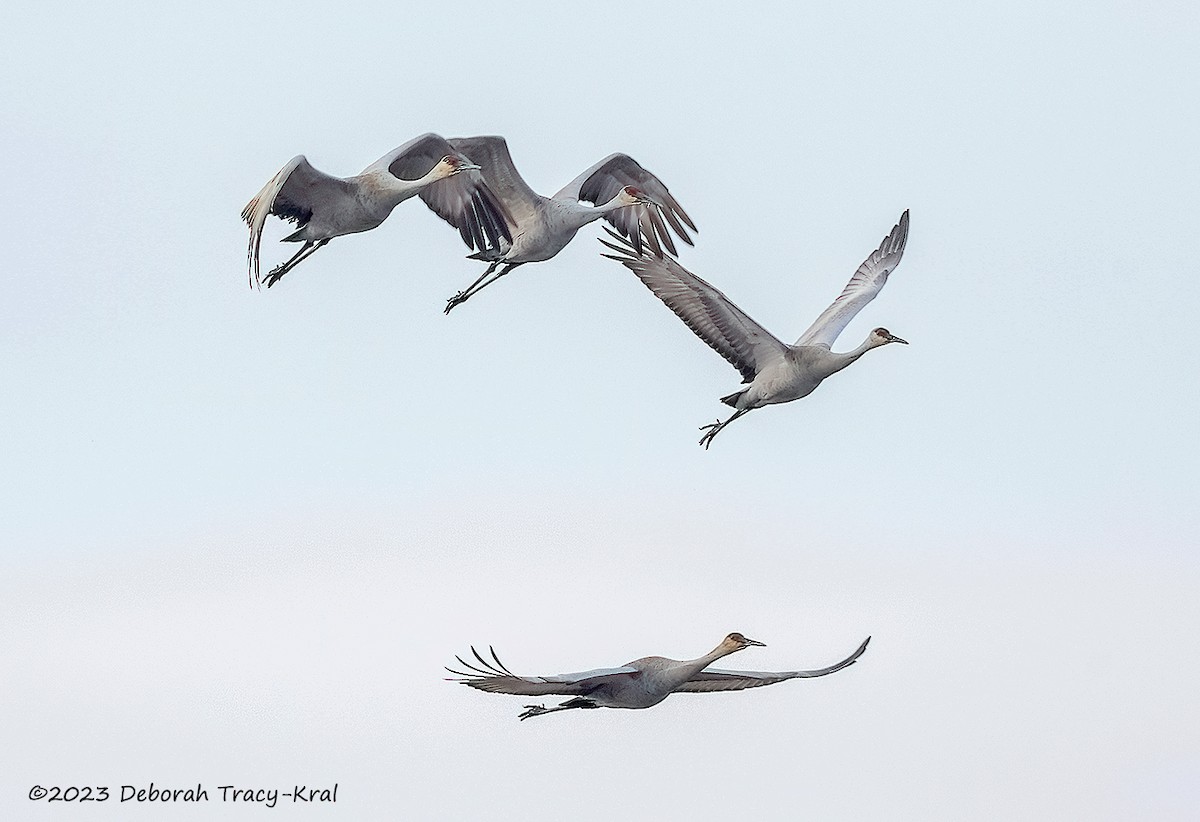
326	207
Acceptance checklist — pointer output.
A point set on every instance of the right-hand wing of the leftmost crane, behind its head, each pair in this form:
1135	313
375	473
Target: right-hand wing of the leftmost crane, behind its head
464	200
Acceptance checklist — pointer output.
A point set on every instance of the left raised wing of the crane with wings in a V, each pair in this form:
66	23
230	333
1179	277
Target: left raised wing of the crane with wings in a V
711	315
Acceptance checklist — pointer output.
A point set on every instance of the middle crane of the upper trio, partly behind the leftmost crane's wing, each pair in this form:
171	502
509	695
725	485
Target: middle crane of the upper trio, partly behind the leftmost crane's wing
621	191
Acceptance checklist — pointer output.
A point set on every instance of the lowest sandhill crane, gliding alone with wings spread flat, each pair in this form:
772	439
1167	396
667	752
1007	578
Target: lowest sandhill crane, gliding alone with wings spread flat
643	683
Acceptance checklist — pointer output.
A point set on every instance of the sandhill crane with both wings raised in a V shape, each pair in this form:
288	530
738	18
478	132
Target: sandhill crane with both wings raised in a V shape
777	373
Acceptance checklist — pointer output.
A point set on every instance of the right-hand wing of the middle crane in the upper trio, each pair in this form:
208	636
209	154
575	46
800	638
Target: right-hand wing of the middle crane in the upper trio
603	182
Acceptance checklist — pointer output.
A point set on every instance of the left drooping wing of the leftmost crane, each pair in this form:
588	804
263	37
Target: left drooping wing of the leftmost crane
296	194
